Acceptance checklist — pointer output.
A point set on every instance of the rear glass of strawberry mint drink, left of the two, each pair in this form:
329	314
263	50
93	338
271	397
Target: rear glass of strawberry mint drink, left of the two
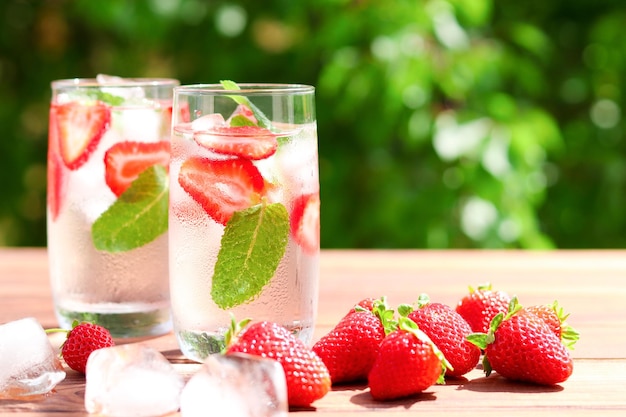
108	187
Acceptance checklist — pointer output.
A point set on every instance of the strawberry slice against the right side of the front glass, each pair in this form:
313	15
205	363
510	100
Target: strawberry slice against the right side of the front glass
305	222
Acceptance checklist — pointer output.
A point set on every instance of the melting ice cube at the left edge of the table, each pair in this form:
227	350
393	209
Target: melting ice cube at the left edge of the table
29	365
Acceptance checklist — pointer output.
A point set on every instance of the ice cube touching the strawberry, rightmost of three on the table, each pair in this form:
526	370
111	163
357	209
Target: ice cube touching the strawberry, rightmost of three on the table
236	385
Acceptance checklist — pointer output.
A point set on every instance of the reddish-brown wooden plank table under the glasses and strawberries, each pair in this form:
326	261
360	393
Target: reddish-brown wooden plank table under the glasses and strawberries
591	285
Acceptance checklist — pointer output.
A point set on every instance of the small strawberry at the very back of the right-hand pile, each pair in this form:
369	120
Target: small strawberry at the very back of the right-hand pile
481	305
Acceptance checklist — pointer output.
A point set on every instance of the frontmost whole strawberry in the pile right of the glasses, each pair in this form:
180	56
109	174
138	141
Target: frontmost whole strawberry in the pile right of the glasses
408	363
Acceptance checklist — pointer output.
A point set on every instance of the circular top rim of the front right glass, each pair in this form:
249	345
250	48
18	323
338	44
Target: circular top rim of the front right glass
247	89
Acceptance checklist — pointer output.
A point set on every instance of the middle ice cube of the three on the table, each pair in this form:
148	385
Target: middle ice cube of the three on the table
132	380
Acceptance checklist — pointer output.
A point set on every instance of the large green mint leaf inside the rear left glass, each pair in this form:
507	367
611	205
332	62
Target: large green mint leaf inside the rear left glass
137	217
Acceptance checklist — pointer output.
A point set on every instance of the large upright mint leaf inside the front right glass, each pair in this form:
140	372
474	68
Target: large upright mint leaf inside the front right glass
253	244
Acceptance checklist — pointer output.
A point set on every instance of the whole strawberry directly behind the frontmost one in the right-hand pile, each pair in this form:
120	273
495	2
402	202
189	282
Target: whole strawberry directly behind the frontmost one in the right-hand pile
448	330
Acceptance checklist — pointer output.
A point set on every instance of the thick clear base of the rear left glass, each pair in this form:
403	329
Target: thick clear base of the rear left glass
131	325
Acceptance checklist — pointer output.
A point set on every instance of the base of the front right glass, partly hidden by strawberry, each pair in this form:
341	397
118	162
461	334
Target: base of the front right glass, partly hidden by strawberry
198	345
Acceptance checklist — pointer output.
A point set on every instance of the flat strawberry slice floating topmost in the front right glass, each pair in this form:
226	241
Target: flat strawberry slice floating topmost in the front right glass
250	142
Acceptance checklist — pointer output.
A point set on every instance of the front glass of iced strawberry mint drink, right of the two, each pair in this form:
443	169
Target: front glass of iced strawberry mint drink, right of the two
244	211
